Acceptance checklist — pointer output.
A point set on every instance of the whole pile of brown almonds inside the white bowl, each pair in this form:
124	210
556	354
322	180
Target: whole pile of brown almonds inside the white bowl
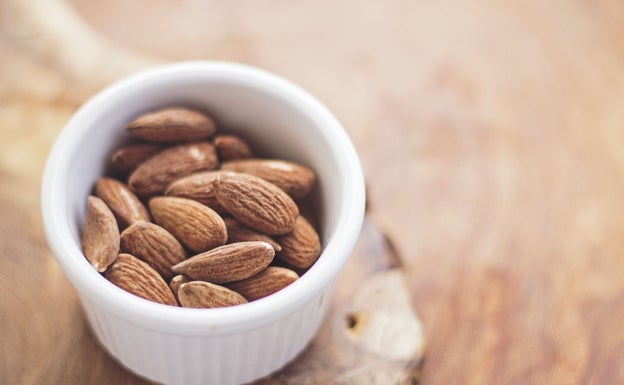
191	218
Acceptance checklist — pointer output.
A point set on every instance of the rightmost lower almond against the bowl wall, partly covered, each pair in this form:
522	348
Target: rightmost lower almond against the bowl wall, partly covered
301	247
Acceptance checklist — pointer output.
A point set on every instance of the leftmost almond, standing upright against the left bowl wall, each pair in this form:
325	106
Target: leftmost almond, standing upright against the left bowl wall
100	234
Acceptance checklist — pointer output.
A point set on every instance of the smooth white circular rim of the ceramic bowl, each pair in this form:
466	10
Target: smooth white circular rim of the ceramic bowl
183	321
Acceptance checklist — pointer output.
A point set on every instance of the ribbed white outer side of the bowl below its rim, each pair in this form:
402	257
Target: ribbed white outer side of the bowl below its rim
227	359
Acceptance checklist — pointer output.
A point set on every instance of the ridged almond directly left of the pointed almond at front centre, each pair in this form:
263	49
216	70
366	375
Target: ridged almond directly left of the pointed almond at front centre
154	245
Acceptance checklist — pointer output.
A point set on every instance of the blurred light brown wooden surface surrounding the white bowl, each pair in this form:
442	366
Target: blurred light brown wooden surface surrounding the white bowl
490	133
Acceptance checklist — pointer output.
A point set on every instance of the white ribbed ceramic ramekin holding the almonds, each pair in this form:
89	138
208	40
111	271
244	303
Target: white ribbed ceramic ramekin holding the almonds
206	346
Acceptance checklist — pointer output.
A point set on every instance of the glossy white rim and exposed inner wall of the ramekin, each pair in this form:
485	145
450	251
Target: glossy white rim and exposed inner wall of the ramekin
278	119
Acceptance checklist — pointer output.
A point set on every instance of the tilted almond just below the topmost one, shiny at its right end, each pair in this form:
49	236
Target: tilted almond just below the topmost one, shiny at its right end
155	174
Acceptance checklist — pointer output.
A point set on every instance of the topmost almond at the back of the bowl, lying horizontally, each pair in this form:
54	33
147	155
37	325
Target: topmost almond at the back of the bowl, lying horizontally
172	125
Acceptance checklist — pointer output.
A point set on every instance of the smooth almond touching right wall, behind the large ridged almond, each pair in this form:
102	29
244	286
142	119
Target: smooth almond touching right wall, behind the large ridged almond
296	180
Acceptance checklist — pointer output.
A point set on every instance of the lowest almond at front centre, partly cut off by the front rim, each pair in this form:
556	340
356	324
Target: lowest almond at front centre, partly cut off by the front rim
198	294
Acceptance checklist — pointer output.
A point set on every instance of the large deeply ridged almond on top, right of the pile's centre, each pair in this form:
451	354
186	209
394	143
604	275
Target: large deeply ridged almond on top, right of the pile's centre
256	203
